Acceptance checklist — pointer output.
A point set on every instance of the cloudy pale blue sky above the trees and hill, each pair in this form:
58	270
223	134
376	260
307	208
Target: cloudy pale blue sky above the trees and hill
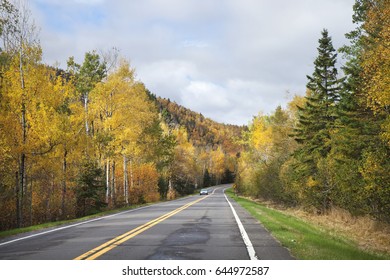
227	59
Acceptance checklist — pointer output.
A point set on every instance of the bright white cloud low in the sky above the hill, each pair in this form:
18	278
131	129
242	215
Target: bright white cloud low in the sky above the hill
225	102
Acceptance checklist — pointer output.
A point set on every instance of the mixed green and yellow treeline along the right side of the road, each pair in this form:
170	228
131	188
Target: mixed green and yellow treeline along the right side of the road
331	147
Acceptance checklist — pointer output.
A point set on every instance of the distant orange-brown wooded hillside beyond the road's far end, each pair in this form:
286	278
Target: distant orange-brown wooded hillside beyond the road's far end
209	150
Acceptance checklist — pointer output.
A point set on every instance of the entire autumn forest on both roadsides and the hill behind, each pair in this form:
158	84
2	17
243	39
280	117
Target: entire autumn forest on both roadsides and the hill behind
91	137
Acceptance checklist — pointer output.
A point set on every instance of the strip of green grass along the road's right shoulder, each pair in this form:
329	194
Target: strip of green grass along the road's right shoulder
305	240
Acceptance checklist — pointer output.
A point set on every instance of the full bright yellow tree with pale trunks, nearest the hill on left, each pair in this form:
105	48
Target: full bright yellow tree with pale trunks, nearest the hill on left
126	130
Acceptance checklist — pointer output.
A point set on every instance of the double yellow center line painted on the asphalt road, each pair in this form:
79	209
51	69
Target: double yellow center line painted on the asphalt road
113	243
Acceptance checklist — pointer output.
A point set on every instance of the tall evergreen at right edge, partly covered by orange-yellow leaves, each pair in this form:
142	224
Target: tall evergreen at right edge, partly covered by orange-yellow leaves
361	138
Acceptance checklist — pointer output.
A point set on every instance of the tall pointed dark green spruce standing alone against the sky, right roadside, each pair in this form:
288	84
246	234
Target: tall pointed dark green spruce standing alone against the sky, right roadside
316	122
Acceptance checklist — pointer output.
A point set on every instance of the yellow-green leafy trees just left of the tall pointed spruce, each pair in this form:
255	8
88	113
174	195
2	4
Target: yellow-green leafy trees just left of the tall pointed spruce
268	147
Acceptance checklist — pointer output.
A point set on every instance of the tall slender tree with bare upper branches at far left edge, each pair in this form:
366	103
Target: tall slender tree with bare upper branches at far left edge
24	53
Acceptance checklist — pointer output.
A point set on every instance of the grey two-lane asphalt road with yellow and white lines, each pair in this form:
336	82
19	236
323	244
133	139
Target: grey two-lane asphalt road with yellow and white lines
195	227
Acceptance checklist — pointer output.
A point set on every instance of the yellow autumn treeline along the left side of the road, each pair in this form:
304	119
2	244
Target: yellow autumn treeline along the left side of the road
91	137
